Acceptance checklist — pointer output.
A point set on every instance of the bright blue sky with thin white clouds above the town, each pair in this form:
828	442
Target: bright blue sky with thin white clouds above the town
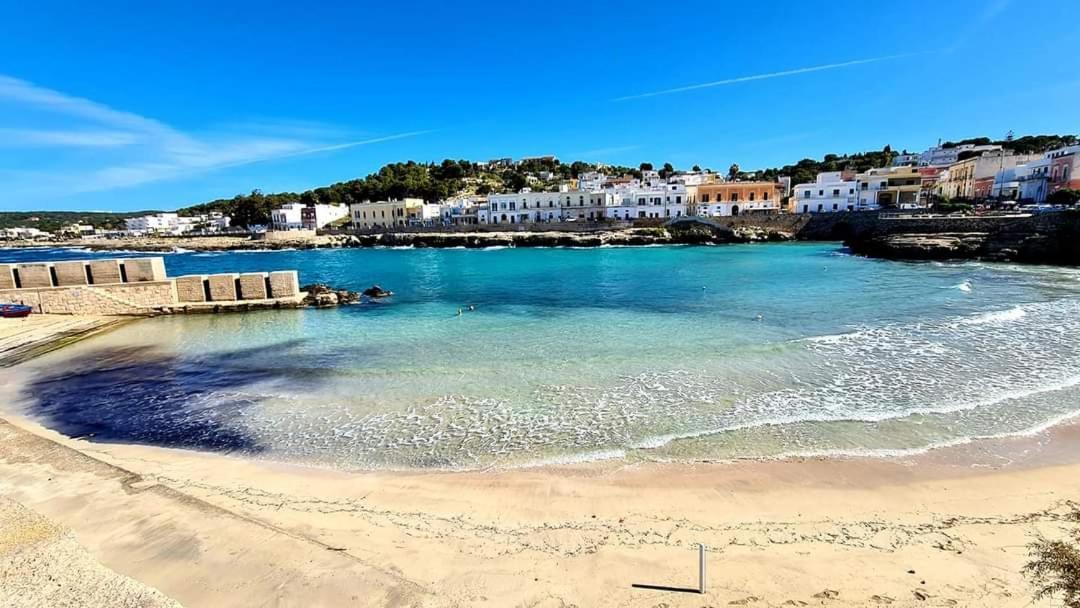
157	105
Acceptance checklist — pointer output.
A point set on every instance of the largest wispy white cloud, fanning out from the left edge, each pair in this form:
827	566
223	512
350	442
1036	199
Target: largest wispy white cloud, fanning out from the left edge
138	150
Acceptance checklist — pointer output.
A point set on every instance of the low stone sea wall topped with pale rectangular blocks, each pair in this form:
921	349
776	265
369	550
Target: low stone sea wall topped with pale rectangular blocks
139	287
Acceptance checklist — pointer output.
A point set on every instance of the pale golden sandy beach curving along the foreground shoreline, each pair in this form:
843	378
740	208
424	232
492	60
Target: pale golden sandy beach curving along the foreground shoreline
949	529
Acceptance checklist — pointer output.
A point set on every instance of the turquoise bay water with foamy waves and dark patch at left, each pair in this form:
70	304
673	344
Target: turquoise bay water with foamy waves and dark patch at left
685	354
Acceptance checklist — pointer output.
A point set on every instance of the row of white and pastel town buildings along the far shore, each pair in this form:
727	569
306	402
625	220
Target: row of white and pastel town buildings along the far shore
973	178
